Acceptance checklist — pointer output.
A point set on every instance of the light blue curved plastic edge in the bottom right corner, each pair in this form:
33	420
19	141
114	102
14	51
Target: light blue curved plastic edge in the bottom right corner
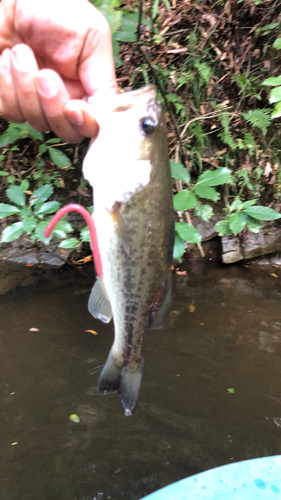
257	479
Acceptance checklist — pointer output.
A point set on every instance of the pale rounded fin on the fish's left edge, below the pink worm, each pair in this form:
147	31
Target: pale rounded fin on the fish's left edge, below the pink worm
98	304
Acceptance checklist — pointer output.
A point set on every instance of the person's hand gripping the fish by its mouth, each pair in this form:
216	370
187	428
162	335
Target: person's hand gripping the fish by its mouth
53	54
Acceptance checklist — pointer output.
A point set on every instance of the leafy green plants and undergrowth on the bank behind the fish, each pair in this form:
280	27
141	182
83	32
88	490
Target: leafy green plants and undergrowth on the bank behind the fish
218	70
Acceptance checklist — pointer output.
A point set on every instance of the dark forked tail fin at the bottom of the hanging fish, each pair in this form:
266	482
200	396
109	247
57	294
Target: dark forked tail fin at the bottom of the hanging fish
126	380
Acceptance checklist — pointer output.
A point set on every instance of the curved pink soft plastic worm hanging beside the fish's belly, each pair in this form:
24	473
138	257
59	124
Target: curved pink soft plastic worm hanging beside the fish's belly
74	207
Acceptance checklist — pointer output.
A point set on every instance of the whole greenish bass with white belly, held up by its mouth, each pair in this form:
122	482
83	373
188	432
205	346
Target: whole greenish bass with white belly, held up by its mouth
128	167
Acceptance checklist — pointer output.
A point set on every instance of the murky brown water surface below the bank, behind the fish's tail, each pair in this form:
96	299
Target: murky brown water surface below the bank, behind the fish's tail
211	391
